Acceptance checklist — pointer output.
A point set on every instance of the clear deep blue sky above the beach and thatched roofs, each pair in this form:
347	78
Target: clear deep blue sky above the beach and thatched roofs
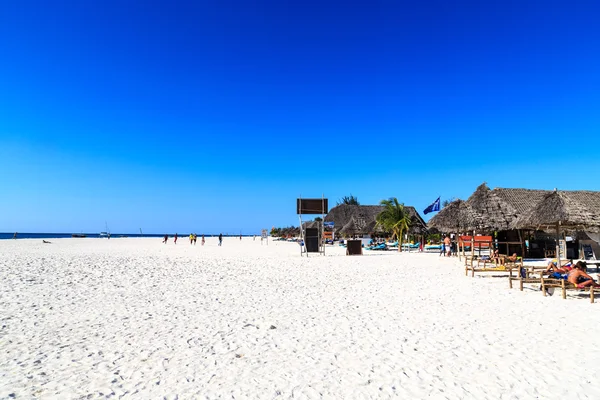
190	116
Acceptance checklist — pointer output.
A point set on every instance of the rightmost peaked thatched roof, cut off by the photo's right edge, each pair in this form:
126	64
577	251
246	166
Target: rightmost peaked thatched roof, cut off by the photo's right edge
570	209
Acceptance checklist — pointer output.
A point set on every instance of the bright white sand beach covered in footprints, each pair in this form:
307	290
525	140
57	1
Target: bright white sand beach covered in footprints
132	318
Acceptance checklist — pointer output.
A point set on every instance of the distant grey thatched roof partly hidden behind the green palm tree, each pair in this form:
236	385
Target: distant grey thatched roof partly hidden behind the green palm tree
353	219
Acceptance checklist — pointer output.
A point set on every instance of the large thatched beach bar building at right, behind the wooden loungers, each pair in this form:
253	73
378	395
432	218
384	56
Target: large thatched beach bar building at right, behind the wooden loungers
528	222
